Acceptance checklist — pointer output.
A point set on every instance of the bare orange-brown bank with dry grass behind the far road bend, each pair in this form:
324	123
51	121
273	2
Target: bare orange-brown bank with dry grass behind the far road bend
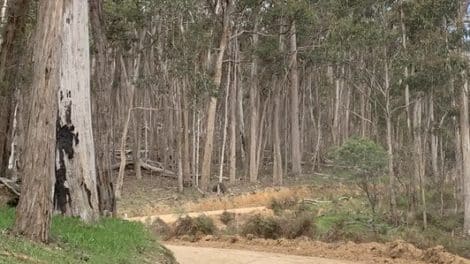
155	195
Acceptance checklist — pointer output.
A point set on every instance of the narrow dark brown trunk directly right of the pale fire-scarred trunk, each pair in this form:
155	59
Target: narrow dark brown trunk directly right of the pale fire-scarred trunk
102	123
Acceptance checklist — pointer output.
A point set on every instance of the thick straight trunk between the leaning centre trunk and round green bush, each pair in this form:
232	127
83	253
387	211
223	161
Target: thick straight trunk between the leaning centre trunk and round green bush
294	104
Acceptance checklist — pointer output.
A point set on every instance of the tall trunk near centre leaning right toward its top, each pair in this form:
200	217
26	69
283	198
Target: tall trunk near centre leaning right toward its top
208	145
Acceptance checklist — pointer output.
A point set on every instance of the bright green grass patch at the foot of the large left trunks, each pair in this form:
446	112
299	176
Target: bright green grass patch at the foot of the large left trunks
107	241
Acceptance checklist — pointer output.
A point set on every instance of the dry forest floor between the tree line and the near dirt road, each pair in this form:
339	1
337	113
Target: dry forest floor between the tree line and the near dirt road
345	229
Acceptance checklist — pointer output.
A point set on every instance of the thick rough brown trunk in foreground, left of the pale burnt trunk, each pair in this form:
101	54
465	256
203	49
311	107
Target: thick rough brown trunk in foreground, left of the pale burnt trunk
33	215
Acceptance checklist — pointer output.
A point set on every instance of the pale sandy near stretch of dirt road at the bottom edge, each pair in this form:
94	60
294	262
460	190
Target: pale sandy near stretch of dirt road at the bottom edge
200	255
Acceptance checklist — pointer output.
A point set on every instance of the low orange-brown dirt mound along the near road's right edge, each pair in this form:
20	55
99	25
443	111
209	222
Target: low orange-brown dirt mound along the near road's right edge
397	252
